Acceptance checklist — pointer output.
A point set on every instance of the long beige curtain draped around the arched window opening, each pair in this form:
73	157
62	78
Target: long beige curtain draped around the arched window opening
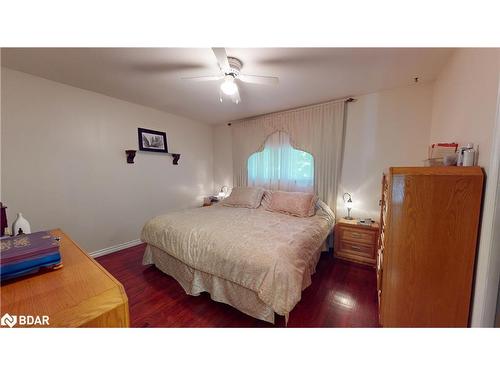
316	129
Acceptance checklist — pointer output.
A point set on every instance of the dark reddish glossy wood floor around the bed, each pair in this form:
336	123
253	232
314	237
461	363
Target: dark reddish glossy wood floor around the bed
342	294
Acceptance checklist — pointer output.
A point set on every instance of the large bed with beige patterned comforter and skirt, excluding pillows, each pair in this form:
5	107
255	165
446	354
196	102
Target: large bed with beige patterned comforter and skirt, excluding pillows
252	259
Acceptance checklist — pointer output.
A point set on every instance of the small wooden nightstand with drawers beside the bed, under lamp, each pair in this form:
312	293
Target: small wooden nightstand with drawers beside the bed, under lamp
356	242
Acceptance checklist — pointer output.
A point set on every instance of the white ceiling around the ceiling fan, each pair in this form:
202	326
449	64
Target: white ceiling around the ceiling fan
152	76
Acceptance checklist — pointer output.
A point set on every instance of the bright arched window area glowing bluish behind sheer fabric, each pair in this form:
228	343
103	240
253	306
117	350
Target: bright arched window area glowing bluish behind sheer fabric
279	166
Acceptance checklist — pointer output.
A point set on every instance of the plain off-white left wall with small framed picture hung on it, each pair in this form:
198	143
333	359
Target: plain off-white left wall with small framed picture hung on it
64	165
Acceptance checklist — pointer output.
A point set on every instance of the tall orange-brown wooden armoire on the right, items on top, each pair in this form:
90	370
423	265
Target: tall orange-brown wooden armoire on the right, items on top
427	246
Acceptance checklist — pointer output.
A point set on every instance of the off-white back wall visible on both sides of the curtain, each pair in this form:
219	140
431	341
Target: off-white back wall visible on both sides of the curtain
383	129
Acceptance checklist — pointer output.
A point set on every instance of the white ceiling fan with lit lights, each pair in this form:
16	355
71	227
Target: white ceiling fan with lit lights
230	68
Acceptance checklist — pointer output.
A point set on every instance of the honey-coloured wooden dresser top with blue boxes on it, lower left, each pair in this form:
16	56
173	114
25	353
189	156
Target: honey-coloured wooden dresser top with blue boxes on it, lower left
80	294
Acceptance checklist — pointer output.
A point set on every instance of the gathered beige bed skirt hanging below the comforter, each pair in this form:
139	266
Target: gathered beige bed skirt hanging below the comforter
194	282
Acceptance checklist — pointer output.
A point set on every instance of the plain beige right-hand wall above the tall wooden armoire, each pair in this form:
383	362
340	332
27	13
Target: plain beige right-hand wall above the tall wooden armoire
465	97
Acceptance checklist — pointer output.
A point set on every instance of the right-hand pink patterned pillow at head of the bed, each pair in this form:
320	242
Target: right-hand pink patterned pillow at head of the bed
293	203
